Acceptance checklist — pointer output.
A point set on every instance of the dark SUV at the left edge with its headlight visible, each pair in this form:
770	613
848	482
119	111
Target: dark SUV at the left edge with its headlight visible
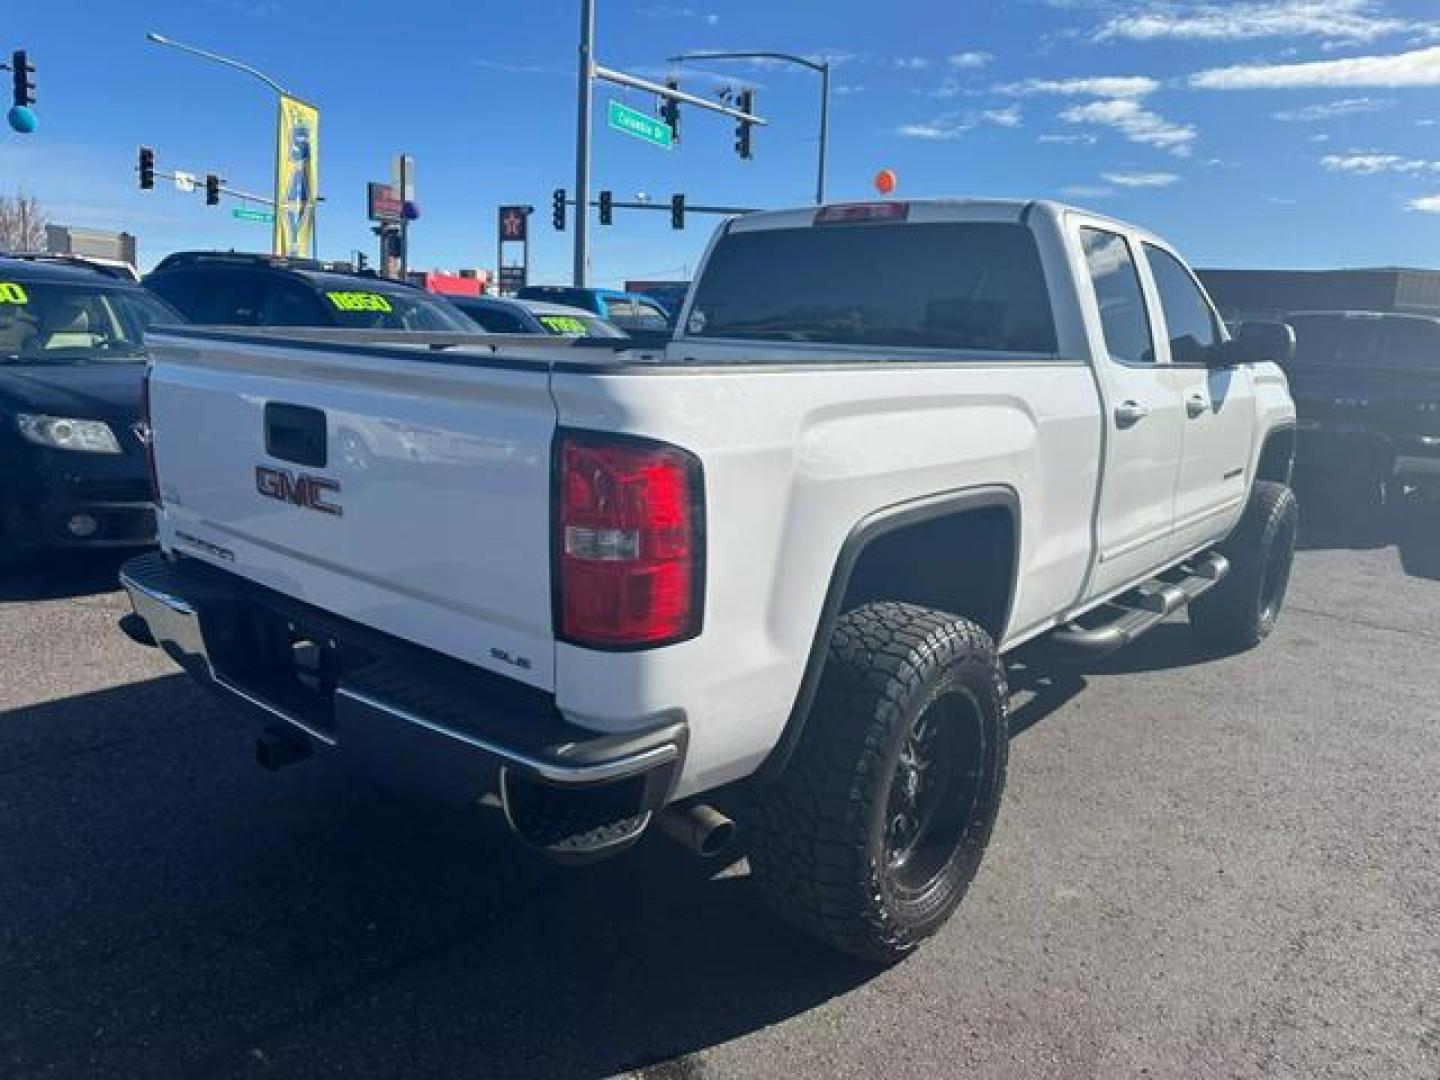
73	443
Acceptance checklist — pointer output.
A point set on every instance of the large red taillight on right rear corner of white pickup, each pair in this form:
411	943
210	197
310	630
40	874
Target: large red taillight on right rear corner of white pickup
630	542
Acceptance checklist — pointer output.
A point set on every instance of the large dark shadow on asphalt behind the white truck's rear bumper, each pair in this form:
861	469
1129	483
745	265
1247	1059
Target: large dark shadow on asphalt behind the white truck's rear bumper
171	909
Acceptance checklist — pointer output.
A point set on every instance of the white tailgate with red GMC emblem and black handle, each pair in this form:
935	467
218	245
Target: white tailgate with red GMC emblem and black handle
408	493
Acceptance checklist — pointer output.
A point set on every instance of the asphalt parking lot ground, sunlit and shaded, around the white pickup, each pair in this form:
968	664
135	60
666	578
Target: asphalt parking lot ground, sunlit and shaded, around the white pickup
1205	868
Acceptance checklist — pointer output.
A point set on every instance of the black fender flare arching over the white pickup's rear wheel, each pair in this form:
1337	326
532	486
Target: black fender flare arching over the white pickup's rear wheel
866	532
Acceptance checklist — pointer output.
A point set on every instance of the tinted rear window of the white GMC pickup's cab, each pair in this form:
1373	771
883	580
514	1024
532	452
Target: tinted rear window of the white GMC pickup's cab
963	286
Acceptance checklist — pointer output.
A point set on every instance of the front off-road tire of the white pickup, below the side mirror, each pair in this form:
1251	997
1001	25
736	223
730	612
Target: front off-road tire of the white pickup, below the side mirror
1242	611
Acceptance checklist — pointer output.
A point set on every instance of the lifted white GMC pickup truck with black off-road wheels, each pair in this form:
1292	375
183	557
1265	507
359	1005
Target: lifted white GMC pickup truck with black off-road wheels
783	554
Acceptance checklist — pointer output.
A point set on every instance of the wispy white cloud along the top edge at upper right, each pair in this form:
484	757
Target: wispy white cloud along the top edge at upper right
1360	21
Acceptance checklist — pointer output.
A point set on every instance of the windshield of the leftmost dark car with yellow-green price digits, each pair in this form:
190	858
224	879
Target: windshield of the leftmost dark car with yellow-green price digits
63	323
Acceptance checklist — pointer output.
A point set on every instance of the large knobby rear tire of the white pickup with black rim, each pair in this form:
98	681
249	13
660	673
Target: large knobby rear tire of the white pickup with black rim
823	834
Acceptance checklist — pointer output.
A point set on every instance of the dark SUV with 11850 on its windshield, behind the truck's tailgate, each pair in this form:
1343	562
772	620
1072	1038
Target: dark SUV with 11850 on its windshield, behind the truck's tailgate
238	290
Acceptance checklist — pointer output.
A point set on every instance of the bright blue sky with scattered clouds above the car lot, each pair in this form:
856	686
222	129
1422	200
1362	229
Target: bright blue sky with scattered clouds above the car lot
1275	133
